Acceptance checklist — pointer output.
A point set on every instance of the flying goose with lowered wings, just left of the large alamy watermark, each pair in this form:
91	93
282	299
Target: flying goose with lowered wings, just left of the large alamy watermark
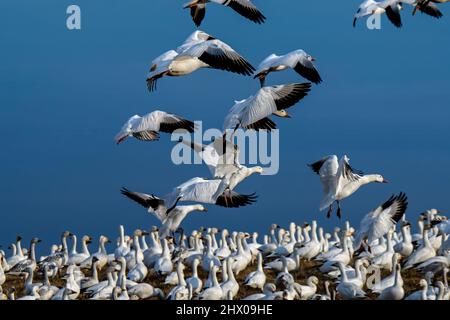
147	128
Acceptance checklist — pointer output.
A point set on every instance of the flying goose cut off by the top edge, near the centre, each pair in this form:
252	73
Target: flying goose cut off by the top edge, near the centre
243	7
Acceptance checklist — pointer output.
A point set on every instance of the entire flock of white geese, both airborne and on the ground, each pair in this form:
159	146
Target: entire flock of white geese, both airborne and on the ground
299	262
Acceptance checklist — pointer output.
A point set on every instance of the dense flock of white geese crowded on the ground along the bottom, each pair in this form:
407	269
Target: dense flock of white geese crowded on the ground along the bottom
300	262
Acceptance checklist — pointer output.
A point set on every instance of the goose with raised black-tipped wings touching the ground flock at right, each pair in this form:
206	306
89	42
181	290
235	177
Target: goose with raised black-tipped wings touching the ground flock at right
378	222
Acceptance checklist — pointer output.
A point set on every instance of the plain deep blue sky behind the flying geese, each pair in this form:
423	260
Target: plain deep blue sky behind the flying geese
64	95
